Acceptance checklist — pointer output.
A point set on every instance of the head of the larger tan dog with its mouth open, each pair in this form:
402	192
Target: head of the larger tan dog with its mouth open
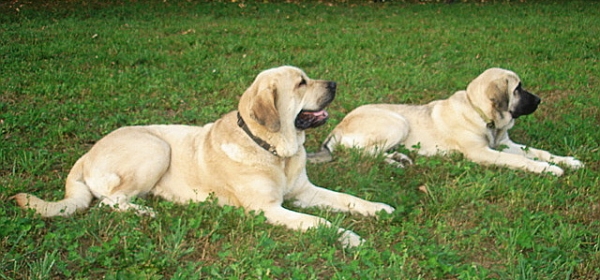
284	100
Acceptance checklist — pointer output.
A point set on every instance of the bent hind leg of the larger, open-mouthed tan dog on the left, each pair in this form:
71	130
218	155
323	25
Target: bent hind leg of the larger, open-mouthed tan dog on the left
127	165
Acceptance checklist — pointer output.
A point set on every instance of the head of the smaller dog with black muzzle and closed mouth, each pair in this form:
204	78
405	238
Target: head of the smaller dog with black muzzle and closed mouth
499	93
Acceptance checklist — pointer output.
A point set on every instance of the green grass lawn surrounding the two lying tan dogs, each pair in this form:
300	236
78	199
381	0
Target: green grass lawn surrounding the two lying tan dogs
73	71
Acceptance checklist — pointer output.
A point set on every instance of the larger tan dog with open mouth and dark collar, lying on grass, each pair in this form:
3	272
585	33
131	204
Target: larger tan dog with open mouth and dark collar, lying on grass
253	158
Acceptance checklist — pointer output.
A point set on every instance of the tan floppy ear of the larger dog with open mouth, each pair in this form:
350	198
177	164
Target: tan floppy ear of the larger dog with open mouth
259	101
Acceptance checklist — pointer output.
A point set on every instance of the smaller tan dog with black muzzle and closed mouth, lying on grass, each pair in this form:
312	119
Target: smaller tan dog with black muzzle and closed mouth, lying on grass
474	122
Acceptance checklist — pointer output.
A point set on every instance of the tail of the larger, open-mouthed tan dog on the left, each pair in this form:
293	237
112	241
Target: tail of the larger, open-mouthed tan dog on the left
78	196
